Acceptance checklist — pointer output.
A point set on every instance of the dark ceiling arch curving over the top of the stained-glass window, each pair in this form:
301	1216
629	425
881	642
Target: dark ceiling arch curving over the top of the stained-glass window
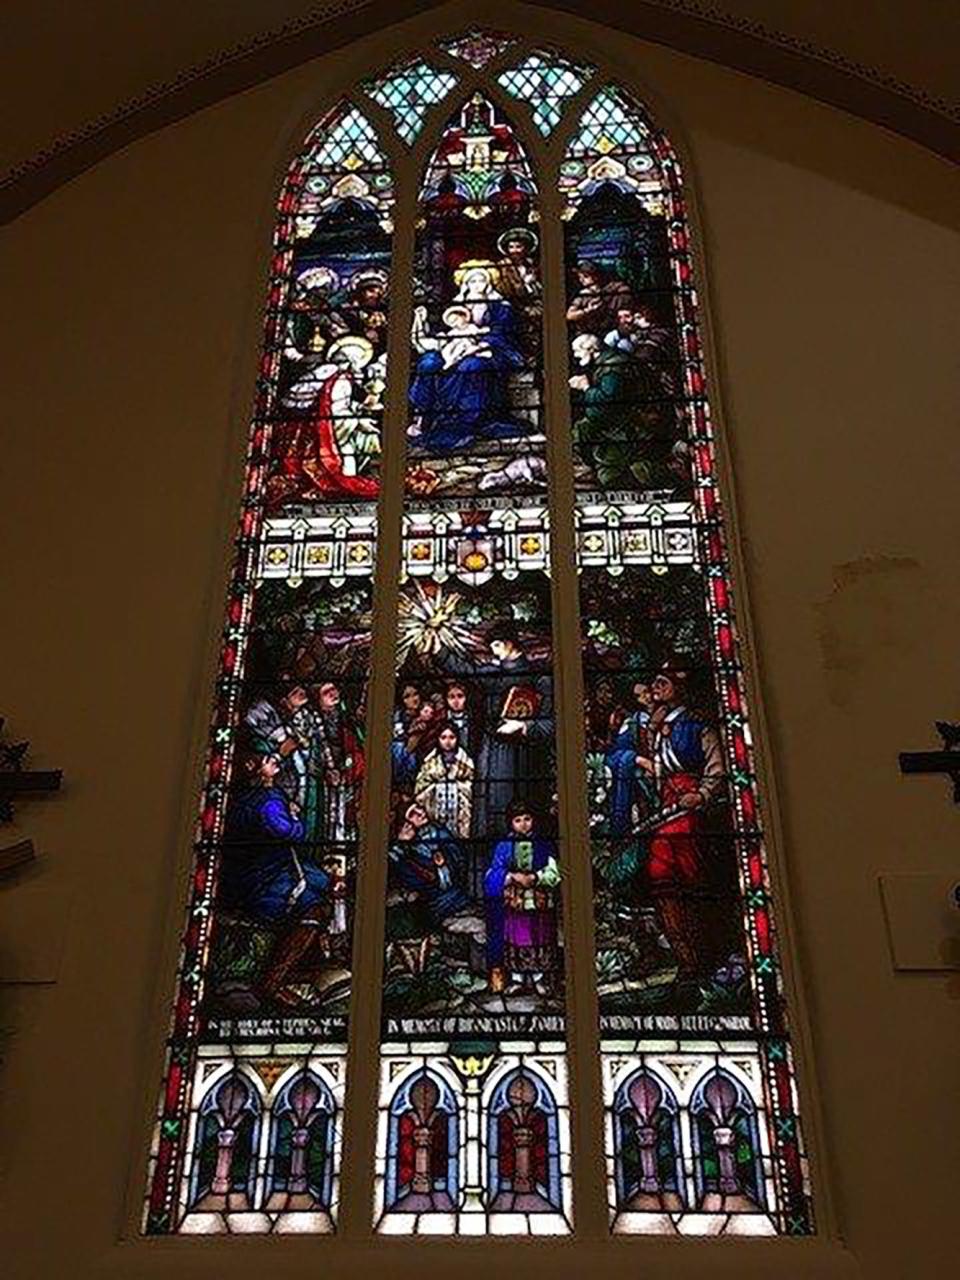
854	68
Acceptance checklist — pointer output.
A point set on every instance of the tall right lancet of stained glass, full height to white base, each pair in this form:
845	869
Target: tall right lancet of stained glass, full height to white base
702	1132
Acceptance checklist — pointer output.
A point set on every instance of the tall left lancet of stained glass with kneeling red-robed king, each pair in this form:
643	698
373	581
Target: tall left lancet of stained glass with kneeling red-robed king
249	1130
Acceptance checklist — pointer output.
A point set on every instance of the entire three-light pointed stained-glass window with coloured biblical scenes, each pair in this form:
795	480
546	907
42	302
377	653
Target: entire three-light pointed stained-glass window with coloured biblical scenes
482	689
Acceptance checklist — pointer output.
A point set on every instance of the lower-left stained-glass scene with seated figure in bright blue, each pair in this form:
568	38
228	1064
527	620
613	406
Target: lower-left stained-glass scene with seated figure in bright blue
291	833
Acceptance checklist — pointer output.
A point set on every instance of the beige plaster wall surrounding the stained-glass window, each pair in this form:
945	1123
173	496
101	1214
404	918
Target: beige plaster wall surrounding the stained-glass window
131	316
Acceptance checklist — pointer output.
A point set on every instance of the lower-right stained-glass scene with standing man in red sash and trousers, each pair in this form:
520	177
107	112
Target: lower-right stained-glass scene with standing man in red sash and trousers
668	918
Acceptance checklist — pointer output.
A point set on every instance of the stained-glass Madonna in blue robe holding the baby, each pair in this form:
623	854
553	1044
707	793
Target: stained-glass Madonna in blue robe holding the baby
459	391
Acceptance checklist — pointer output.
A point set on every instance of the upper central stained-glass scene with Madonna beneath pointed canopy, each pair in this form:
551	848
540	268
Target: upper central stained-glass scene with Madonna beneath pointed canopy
476	388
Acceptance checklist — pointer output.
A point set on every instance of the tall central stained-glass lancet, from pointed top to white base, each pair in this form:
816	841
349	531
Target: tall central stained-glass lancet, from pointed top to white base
474	1117
